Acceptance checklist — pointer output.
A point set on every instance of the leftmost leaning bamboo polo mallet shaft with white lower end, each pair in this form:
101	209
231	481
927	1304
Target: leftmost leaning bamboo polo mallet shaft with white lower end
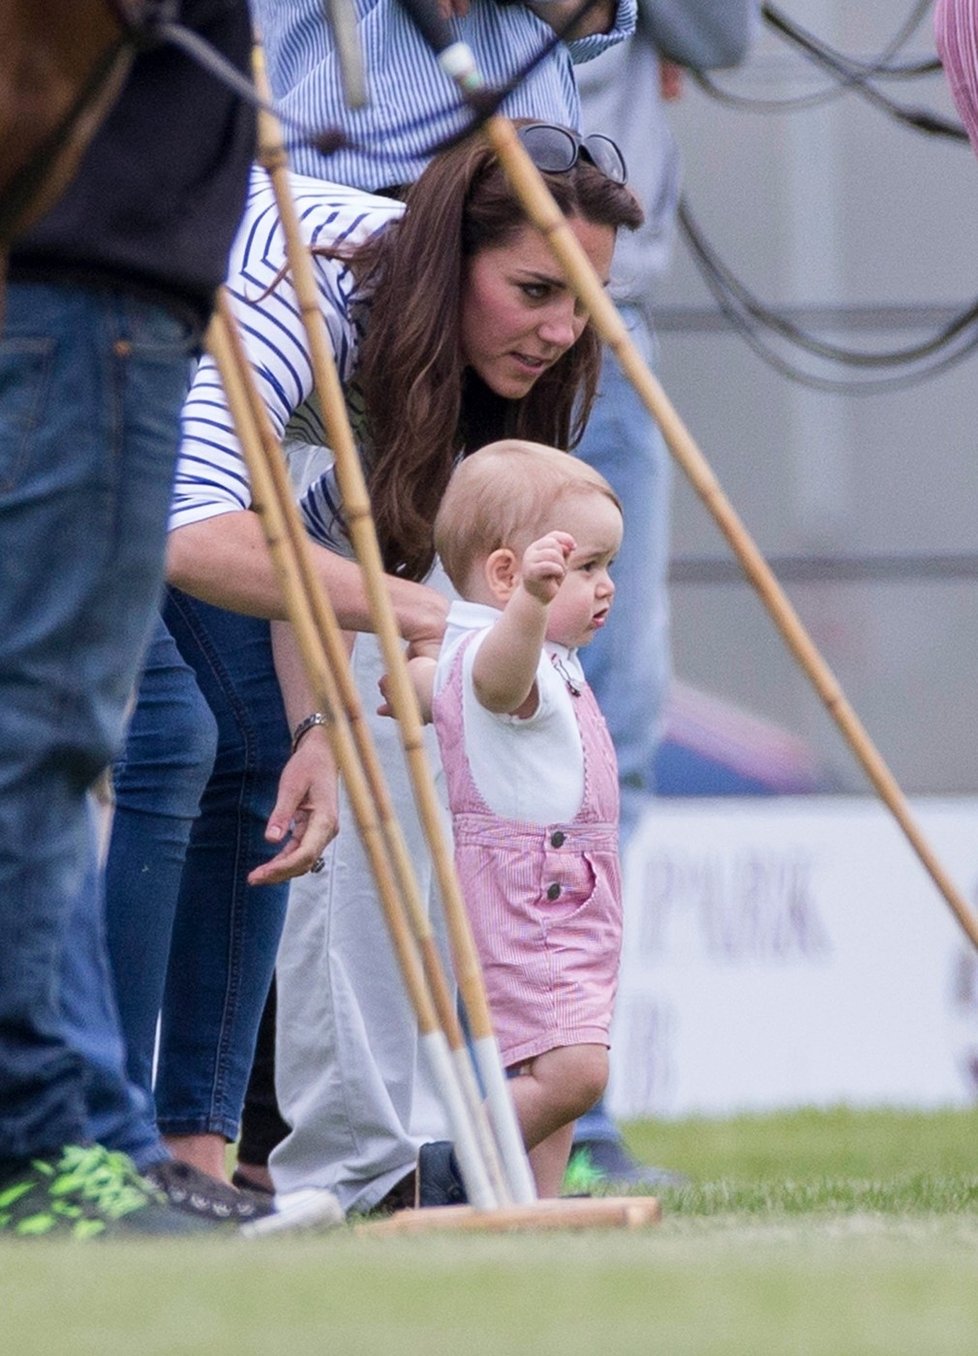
324	654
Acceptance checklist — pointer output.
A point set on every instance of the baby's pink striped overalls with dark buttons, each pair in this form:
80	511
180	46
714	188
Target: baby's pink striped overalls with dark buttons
545	900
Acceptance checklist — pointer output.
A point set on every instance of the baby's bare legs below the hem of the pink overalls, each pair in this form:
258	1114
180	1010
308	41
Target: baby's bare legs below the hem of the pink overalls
550	1094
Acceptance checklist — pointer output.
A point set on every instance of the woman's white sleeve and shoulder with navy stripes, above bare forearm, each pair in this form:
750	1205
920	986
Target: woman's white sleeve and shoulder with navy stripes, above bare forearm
211	477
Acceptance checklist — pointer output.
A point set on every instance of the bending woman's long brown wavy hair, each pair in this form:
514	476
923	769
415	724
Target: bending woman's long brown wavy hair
423	407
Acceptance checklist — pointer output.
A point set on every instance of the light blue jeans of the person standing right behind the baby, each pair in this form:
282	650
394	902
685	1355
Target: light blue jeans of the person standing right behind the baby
629	664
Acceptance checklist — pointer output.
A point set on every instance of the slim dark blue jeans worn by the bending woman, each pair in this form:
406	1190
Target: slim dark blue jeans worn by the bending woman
189	938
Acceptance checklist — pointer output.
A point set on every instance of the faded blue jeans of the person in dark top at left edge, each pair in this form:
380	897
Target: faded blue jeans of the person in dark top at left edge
92	386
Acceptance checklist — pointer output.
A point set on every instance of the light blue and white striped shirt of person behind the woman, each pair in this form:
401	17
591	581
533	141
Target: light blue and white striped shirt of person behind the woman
413	104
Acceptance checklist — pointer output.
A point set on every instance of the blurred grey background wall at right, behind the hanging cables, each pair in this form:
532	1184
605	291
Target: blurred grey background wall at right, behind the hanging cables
863	231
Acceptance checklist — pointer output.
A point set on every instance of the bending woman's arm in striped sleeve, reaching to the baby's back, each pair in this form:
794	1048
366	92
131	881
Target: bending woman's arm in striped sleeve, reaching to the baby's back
216	549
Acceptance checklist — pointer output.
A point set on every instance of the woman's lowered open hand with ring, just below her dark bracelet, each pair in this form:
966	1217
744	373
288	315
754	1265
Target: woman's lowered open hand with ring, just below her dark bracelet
306	818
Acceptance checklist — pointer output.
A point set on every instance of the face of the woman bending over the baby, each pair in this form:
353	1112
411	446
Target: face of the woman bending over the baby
519	315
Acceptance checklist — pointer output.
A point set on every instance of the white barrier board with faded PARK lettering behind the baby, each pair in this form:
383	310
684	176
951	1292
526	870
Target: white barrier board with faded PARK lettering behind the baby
786	953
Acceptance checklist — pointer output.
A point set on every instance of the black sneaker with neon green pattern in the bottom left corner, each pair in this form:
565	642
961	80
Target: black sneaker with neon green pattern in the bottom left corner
86	1193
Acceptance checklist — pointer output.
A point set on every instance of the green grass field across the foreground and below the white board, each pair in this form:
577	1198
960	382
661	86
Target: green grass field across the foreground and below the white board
810	1233
